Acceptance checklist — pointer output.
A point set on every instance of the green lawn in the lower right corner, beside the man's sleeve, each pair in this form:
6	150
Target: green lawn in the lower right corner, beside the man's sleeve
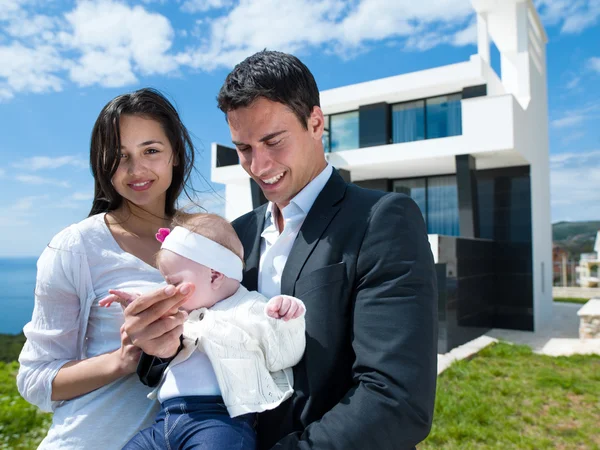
507	397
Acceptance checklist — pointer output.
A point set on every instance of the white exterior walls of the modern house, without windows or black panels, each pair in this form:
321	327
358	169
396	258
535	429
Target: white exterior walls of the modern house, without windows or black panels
508	127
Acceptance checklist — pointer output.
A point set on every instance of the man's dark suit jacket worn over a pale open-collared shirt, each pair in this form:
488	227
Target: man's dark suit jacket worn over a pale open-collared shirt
362	265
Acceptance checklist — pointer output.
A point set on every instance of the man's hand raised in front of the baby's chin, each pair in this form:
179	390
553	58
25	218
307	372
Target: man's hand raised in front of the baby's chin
153	321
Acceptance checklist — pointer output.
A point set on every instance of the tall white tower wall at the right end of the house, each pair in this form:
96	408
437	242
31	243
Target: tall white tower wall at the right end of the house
523	66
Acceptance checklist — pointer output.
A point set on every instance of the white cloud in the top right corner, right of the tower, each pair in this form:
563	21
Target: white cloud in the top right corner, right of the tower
574	16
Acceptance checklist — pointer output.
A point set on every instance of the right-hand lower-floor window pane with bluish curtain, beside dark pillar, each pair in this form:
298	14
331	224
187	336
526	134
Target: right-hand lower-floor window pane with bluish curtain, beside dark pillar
442	206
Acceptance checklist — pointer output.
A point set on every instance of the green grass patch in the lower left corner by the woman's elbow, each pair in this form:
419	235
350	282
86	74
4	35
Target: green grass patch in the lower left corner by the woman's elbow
22	426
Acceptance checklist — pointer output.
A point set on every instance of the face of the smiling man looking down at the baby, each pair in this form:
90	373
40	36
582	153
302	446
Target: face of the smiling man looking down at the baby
275	149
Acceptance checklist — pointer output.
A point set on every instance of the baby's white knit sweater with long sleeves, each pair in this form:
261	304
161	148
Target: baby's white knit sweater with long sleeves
251	353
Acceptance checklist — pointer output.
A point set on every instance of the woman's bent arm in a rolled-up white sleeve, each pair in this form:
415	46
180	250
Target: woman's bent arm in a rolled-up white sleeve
49	367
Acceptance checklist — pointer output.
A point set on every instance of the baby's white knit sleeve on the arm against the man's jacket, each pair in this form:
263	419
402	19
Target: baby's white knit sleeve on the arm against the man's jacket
282	342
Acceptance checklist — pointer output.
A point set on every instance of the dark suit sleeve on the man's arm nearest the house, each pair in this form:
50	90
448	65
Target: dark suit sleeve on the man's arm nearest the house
390	405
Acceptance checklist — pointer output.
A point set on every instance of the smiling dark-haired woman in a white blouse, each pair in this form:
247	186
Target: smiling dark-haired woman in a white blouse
76	362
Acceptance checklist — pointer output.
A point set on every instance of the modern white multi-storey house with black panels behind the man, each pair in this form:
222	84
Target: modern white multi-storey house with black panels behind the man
470	145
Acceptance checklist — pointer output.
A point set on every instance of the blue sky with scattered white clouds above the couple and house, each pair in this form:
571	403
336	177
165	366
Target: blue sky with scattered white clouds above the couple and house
61	61
